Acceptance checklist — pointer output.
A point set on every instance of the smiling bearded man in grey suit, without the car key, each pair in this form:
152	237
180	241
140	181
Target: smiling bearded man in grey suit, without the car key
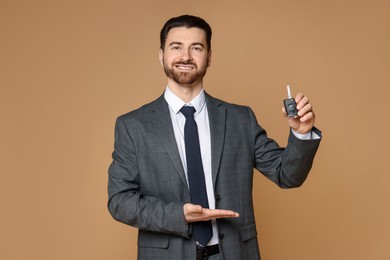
152	181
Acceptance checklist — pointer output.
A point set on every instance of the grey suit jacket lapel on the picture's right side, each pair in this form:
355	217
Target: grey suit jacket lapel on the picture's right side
217	118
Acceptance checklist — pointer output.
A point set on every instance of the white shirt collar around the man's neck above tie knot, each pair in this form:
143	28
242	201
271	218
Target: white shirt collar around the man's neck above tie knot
175	103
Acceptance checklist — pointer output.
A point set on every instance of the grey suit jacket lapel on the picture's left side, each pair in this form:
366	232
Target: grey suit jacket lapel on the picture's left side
162	122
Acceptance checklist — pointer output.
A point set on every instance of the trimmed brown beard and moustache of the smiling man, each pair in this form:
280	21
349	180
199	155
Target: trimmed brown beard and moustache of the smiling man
185	78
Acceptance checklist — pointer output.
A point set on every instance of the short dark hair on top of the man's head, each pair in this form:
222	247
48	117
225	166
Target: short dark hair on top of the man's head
187	21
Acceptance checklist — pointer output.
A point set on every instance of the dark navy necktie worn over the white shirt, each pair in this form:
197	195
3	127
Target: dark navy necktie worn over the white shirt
202	230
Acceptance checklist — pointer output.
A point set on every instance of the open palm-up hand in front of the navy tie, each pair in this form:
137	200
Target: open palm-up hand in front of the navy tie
193	213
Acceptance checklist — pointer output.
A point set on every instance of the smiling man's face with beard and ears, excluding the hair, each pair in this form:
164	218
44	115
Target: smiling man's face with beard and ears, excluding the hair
185	56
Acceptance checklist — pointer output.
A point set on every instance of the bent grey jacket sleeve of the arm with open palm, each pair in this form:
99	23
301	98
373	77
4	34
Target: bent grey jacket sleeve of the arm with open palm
127	204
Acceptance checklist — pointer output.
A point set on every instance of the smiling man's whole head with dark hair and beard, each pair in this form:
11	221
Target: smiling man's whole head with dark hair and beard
185	50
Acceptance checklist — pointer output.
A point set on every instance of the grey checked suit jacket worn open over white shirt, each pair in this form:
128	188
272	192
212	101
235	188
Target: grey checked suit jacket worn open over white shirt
147	186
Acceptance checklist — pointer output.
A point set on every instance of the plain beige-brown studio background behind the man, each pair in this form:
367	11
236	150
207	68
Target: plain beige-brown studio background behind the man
69	68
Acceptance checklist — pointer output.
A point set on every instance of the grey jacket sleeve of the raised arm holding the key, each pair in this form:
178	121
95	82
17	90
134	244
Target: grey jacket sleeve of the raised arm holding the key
287	167
